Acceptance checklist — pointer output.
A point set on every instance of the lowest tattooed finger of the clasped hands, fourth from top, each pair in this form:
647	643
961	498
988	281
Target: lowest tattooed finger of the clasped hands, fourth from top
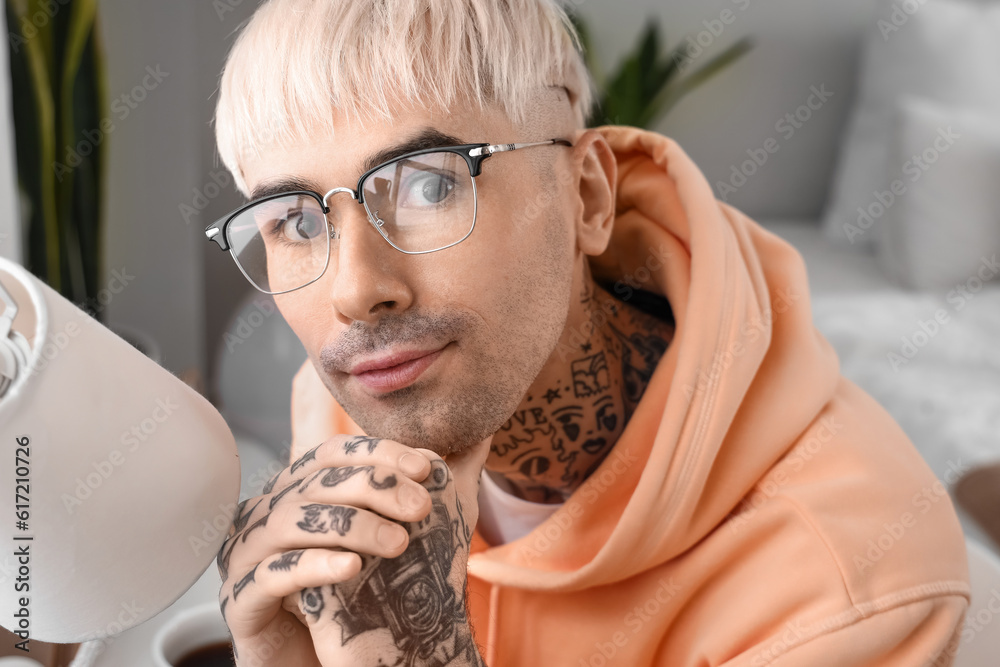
261	589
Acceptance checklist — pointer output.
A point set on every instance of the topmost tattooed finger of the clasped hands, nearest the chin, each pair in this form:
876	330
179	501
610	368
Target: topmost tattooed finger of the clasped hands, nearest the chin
343	450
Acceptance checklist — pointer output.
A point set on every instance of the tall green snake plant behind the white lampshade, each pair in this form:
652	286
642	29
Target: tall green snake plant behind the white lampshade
60	119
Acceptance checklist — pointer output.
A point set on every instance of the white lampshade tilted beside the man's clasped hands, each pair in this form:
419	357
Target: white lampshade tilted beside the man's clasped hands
124	479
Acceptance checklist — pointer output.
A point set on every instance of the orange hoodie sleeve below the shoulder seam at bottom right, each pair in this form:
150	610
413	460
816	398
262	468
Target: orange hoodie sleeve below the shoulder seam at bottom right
925	633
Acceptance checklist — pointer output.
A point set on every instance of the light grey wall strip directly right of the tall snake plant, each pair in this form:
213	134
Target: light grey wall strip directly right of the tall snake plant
155	151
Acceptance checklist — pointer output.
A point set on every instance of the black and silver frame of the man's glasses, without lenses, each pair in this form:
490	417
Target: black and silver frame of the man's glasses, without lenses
473	154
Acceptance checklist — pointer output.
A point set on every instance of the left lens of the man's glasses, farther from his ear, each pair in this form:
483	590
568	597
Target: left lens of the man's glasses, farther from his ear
281	244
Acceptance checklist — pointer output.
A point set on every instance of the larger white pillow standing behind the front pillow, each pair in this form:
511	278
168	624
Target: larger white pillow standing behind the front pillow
939	49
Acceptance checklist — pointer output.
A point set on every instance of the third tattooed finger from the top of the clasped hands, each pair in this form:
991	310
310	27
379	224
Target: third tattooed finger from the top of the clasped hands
306	525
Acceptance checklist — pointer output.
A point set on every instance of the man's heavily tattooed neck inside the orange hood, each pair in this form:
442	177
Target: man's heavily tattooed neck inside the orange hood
574	412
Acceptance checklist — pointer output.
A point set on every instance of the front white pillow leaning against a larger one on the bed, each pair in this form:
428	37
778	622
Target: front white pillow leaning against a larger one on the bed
943	228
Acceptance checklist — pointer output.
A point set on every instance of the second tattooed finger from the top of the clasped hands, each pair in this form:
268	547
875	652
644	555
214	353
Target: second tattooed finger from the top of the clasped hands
374	488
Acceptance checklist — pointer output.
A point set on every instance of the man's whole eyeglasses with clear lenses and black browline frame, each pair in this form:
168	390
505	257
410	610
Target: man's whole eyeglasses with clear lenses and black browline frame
420	202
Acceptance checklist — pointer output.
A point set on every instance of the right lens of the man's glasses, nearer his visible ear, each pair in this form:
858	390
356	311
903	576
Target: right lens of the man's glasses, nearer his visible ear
424	202
